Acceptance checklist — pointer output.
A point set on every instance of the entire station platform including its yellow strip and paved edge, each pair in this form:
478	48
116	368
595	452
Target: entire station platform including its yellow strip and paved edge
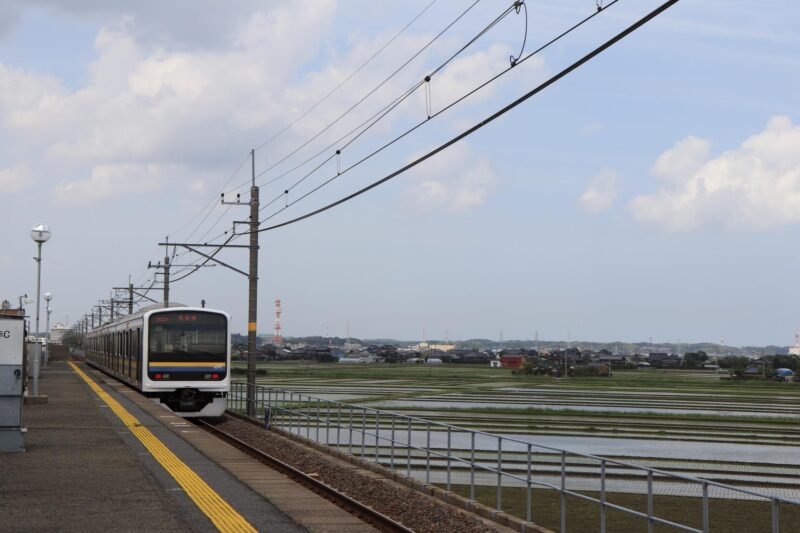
101	457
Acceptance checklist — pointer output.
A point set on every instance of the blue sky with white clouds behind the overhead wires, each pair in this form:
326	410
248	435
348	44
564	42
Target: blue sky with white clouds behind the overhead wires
652	193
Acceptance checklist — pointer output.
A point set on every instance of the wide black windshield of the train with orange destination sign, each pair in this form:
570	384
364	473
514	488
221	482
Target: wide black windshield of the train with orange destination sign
188	335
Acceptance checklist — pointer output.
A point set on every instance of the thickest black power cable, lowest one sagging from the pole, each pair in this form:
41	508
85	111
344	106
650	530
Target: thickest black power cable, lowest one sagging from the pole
641	22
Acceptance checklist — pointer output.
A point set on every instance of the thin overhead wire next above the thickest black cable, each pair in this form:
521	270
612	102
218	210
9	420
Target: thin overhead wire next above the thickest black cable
341	172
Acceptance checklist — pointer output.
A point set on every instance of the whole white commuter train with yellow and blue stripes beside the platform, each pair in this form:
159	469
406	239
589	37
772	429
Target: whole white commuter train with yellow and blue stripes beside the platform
179	355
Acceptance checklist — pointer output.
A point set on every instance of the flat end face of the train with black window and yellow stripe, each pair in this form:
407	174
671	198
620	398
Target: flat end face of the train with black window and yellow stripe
187	359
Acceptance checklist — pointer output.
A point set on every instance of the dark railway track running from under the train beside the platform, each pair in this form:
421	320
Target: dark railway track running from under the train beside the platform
365	512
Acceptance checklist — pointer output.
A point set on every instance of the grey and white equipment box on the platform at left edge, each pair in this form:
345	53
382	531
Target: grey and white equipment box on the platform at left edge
12	336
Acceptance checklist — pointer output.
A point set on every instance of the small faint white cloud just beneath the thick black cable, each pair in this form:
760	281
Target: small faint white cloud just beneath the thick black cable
457	180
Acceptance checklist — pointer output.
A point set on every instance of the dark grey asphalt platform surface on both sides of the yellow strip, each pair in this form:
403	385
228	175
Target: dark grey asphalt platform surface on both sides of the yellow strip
85	471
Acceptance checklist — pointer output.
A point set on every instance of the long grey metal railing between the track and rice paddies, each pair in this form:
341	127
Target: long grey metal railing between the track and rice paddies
449	455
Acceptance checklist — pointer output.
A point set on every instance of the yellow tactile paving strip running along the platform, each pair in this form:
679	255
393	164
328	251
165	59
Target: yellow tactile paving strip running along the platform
223	516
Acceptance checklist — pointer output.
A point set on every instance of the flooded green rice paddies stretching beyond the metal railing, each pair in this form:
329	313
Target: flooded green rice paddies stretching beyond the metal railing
680	418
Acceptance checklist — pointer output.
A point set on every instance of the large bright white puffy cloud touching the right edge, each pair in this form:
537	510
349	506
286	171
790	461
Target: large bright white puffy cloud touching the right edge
754	186
